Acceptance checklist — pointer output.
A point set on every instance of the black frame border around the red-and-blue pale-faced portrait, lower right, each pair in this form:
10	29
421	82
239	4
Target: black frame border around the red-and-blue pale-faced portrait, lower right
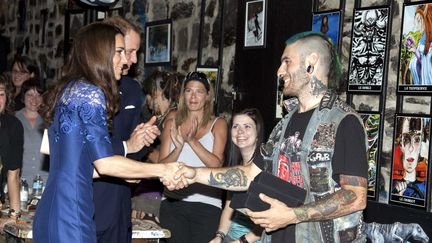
427	199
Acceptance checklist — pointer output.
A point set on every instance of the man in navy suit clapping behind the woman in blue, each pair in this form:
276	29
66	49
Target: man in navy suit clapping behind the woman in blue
112	196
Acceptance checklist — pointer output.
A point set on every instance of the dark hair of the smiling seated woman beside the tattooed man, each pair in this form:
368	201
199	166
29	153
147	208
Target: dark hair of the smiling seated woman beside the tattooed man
234	156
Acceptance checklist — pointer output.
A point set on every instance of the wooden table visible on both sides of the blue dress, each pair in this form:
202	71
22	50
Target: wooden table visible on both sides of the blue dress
143	231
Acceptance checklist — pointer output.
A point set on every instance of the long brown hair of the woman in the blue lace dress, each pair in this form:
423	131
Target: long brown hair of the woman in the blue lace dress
91	59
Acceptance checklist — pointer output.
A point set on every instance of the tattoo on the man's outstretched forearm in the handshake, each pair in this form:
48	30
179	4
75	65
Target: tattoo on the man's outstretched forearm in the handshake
230	178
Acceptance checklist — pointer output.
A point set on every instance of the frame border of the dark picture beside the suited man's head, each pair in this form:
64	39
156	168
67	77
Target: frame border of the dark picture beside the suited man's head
168	59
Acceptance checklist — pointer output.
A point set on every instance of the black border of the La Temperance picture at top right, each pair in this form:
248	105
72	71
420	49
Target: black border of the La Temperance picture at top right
419	90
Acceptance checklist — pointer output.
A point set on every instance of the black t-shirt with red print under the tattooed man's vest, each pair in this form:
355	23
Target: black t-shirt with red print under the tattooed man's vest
349	157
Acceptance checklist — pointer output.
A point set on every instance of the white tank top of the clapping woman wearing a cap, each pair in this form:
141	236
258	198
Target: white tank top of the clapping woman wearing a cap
196	192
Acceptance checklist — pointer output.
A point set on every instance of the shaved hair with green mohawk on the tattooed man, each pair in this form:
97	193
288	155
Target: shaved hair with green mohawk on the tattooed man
327	51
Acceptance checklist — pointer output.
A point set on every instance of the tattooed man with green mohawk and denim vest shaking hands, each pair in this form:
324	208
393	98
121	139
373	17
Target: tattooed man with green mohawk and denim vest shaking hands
331	164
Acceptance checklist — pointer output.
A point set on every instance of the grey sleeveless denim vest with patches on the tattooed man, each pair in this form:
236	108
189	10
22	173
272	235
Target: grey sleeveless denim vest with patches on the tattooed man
316	169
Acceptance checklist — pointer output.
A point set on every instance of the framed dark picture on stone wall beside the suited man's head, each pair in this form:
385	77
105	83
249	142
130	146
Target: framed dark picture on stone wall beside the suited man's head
158	42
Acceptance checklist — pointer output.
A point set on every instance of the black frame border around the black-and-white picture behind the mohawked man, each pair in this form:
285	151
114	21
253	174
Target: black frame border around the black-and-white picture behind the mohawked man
371	89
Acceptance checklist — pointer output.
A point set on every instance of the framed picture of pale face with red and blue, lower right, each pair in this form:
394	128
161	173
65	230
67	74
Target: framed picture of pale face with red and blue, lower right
409	173
